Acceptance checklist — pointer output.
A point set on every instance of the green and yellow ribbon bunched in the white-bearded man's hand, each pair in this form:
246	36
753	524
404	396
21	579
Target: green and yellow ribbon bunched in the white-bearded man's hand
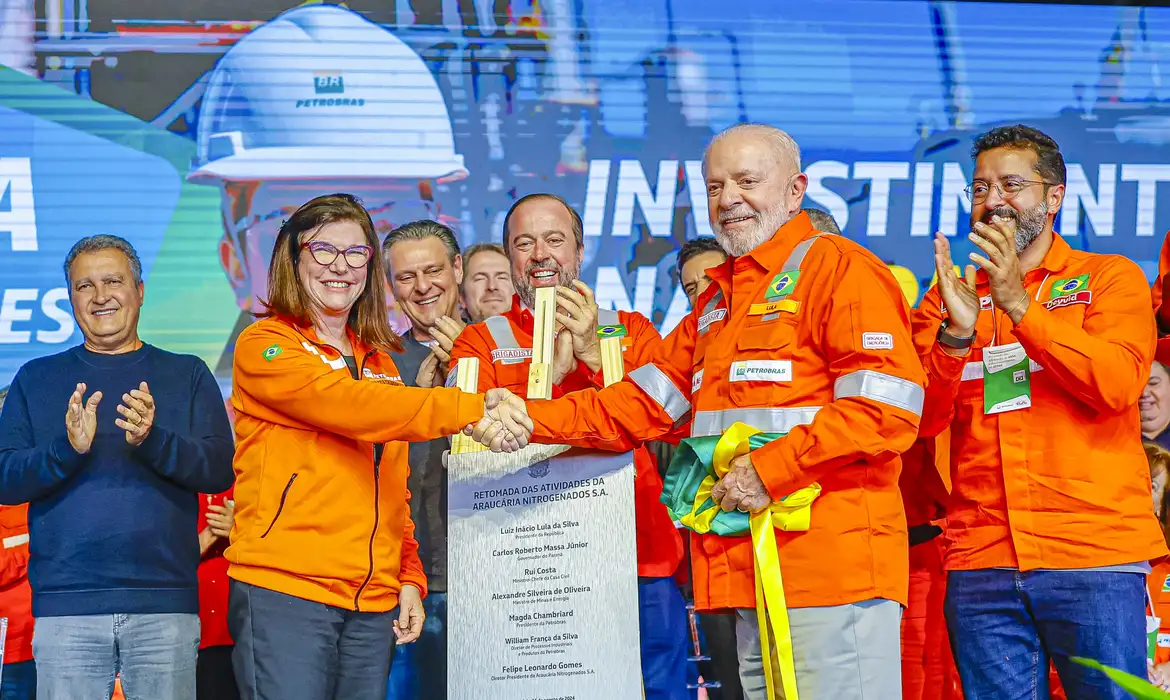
698	466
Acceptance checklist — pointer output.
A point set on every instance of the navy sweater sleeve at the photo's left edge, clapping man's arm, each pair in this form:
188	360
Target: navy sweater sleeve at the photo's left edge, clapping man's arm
29	471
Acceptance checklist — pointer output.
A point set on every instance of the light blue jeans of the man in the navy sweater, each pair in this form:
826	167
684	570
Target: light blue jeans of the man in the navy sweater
78	657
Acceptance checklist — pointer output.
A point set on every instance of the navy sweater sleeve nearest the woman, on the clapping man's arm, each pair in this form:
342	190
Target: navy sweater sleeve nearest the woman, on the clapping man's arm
203	461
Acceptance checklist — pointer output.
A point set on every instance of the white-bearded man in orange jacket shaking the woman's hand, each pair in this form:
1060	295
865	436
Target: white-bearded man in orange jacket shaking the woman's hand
804	334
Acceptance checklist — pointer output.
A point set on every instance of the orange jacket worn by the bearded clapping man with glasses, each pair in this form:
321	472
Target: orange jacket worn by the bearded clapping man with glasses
1064	484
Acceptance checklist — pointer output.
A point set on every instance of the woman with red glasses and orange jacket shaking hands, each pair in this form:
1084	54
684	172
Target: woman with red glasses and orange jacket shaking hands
324	548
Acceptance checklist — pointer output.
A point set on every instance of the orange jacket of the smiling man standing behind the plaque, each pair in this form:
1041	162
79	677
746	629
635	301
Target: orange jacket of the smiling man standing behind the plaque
504	345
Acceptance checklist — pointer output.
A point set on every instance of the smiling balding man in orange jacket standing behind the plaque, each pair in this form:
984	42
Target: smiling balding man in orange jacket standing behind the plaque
545	242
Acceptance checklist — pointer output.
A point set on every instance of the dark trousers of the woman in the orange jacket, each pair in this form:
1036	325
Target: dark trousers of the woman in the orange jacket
290	649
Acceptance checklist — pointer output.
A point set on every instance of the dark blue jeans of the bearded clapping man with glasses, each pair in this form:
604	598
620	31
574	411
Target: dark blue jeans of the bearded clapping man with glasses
1006	627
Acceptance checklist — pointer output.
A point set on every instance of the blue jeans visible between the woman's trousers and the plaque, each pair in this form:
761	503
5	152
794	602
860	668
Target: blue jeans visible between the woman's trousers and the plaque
419	671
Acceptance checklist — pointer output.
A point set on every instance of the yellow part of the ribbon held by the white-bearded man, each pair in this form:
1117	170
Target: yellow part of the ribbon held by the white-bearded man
792	514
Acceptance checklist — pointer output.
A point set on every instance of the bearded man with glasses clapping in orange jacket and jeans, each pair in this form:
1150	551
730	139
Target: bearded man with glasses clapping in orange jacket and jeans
1036	362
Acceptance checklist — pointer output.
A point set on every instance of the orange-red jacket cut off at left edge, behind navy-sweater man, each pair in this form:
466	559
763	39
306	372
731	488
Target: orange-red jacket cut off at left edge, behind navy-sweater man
16	595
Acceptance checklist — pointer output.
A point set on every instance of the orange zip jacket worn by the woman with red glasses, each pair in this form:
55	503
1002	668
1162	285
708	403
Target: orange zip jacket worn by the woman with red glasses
316	517
